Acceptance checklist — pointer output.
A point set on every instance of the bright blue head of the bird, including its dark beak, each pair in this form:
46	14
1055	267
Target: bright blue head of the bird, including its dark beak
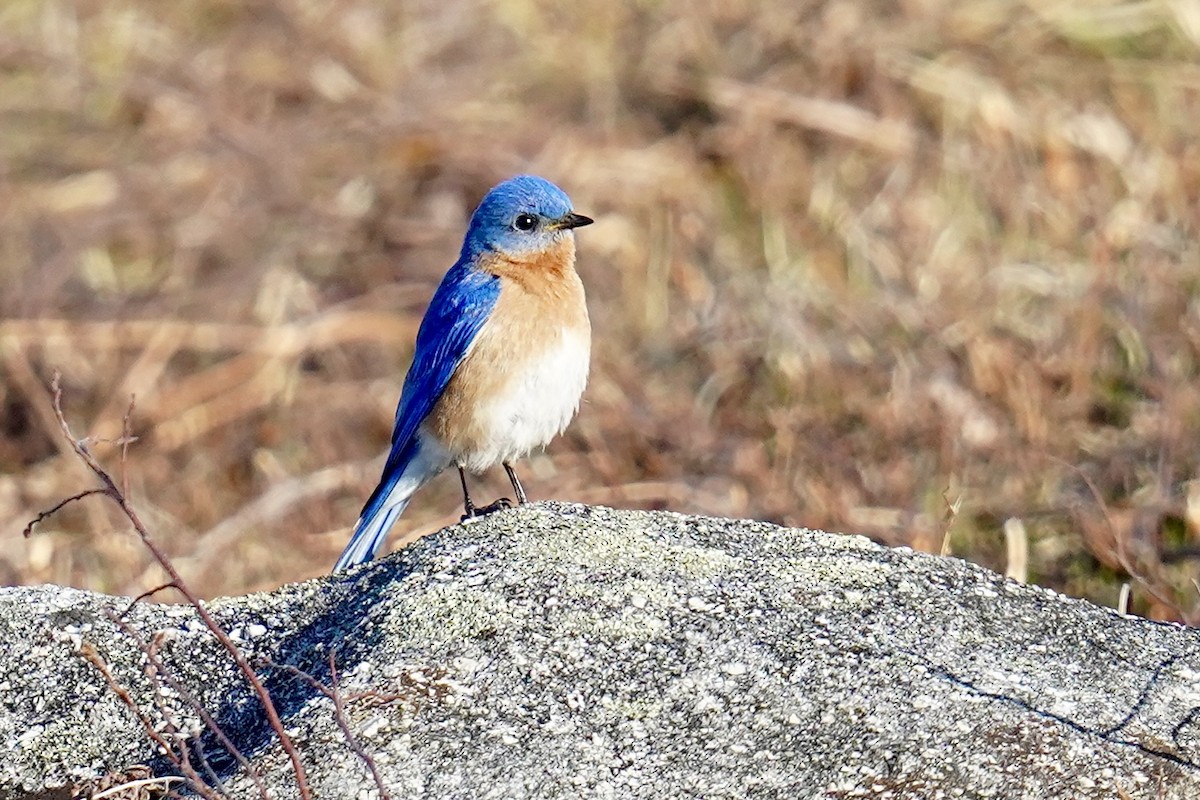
521	218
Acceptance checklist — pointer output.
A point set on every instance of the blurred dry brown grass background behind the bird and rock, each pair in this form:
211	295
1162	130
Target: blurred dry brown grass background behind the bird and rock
922	270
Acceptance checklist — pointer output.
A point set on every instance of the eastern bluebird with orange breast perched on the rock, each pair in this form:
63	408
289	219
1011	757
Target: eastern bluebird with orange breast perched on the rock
501	359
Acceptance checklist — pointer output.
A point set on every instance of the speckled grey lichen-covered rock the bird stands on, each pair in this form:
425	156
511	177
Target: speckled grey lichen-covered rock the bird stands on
571	652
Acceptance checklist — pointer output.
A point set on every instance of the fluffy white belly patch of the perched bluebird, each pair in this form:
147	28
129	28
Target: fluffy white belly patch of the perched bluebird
535	406
